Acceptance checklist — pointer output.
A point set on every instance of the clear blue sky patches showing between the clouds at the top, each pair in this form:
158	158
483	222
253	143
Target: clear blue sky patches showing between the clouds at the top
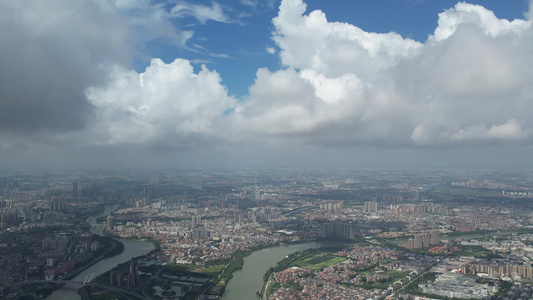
249	32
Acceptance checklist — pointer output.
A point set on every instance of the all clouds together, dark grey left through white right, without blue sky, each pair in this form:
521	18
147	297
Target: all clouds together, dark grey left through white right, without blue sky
470	83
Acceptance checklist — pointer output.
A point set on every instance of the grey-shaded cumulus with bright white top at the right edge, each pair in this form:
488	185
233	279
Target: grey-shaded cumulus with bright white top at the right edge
473	74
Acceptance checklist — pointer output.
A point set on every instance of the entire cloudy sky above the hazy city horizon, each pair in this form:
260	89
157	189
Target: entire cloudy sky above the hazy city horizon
248	83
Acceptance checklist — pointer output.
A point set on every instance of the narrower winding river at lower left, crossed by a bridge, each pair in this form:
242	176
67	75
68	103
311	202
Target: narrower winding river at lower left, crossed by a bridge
131	249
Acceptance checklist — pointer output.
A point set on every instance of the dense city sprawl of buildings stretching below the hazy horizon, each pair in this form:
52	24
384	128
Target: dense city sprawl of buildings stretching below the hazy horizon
388	234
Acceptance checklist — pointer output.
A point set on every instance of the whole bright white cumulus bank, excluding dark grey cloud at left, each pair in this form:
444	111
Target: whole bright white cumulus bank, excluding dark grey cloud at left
469	83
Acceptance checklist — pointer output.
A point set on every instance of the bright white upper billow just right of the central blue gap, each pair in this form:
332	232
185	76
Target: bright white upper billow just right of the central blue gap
311	42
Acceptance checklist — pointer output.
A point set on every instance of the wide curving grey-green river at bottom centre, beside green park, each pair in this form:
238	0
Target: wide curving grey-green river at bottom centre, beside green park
248	281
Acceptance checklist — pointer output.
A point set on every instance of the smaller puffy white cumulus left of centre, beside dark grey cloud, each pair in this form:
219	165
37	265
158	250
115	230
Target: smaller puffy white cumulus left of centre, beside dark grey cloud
167	105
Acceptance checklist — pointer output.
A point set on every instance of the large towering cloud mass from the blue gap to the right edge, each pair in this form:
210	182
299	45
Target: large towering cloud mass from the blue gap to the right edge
469	83
